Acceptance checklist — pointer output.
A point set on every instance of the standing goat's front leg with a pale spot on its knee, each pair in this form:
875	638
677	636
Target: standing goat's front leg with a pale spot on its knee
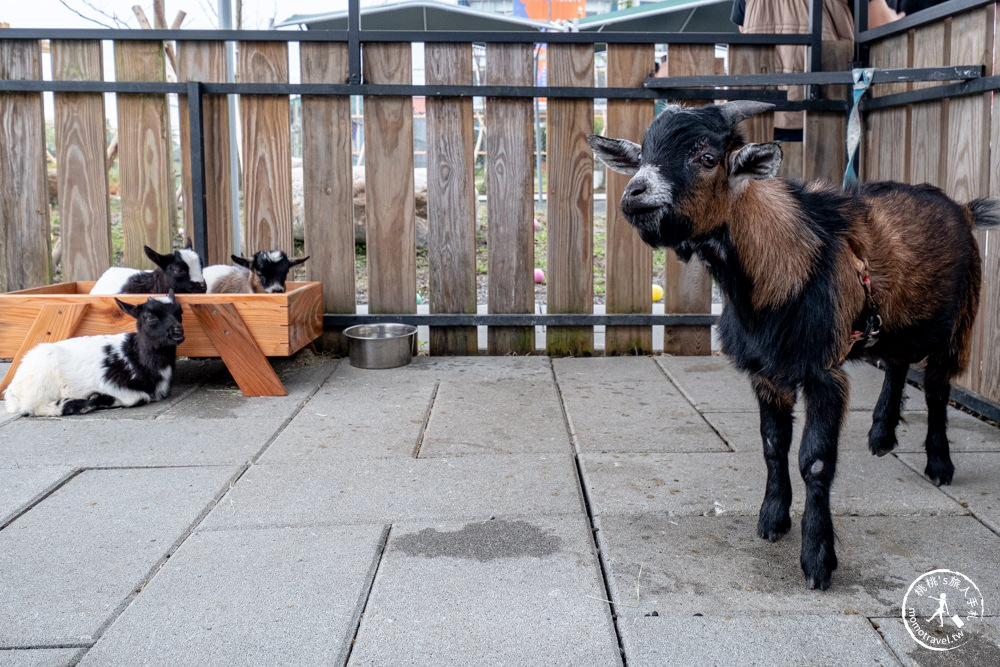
826	398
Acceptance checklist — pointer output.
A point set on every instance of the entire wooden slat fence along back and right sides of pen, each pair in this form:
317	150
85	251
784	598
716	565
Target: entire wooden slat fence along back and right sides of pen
147	181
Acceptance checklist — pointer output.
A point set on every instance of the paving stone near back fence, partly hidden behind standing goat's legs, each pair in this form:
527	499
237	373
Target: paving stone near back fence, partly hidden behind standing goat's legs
714	385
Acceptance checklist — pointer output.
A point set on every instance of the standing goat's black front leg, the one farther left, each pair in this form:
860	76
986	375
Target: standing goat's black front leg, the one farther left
776	434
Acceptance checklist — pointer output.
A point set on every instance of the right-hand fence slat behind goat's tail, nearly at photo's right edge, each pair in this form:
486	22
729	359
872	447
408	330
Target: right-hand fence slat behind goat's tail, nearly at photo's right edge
968	160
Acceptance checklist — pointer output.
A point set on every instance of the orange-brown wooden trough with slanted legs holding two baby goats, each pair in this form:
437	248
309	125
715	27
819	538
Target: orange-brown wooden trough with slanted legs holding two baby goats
242	329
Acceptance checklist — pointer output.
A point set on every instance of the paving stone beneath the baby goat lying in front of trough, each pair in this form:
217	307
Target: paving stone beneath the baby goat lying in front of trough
214	425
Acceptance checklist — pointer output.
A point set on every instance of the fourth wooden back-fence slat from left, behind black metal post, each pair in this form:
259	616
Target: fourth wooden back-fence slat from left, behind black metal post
206	62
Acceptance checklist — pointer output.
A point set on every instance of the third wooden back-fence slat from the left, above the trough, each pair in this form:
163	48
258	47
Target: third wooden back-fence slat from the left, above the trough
144	154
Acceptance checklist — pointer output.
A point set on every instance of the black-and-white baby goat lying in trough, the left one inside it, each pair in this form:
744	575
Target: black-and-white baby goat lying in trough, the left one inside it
179	271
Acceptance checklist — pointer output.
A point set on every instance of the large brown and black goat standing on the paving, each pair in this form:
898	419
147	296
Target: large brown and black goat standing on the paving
812	277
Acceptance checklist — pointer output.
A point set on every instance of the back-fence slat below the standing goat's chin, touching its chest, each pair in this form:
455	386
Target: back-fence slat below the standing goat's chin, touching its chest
687	286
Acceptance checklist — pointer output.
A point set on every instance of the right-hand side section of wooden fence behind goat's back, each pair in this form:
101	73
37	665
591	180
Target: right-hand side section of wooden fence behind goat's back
953	143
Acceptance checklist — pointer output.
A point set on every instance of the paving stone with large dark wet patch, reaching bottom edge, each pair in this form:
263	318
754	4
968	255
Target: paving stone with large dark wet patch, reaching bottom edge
505	591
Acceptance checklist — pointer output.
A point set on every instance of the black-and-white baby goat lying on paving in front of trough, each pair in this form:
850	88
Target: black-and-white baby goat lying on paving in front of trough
78	375
